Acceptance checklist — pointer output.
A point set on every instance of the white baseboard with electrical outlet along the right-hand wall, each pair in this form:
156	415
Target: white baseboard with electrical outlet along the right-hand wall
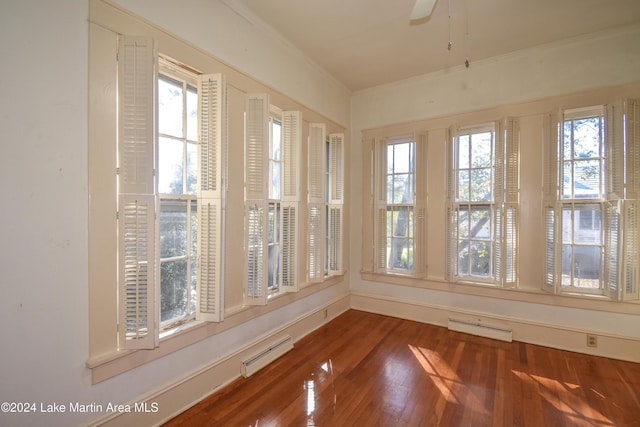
523	330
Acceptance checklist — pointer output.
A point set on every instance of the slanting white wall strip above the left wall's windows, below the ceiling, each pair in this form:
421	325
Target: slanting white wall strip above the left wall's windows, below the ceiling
249	47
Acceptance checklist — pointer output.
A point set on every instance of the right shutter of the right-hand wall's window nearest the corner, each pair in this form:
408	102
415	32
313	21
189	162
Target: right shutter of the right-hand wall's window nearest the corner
420	234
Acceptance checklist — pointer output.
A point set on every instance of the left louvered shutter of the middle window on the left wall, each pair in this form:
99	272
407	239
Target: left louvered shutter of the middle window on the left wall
256	173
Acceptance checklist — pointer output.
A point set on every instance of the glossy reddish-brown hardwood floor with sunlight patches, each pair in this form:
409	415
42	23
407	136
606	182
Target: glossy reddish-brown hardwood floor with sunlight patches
364	369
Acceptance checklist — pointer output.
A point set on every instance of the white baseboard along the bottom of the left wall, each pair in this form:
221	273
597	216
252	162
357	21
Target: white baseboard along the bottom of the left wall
179	396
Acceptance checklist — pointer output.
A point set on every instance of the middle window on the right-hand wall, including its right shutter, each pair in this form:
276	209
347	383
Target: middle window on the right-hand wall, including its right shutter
483	203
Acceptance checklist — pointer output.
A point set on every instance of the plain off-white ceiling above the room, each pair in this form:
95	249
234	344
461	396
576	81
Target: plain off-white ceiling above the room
364	43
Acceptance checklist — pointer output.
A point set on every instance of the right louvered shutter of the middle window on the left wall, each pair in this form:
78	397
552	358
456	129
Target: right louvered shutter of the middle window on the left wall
291	163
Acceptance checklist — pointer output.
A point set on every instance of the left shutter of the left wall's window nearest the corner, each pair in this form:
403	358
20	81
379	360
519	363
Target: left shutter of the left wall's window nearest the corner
316	194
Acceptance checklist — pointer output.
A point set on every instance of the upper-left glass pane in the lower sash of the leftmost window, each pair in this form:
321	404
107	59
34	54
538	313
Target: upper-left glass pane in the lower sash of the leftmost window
173	228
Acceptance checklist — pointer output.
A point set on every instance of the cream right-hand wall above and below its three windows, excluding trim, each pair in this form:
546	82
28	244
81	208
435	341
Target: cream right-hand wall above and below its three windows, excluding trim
582	64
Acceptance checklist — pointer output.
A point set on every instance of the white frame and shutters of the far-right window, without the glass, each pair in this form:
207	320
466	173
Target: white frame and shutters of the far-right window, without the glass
619	204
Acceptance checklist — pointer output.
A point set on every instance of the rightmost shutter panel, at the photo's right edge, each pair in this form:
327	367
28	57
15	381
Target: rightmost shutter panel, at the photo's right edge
631	251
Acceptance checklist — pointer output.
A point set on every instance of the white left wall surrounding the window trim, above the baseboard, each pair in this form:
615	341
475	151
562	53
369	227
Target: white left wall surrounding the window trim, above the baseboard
43	123
